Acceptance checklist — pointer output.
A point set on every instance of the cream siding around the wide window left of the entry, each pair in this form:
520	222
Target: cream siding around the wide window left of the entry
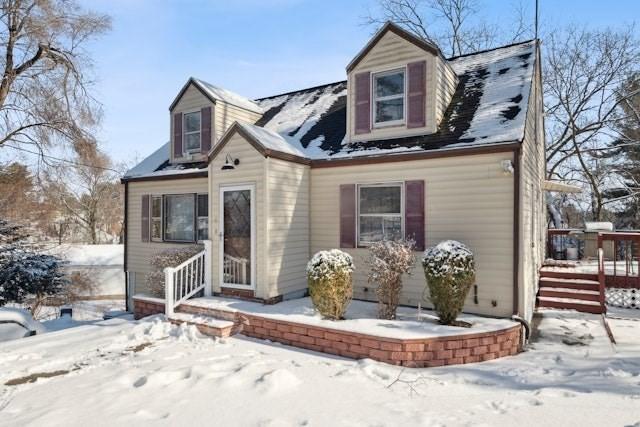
139	253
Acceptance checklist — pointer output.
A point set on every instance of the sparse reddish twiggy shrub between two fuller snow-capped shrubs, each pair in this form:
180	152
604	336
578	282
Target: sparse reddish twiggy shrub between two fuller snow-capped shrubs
389	260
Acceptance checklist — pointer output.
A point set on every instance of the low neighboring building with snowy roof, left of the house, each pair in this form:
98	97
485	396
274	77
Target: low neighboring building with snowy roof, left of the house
101	266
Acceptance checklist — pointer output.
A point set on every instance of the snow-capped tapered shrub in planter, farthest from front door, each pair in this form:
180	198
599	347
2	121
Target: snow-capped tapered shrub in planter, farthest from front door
450	272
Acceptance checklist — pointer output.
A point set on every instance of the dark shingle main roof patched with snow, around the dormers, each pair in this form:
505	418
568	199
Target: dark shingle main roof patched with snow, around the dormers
488	107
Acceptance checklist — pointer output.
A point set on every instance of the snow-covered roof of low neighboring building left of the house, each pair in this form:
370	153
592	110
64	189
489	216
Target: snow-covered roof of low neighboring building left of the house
90	255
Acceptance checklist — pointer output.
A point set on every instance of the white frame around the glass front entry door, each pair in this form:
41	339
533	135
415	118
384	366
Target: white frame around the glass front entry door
252	192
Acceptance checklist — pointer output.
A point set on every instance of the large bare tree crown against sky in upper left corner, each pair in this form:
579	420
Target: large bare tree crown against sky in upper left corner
44	92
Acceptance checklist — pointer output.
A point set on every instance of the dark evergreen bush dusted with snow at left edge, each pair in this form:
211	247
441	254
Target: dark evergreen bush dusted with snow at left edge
26	276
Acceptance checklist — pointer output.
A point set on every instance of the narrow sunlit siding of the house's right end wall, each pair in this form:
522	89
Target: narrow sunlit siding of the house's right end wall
532	203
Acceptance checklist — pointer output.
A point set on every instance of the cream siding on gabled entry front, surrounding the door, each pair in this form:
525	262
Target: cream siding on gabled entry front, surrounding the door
251	170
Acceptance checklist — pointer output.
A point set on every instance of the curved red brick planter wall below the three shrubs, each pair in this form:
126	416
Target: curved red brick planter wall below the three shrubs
427	352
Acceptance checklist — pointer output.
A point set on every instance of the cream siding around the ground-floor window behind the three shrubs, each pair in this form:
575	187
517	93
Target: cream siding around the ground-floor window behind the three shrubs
468	198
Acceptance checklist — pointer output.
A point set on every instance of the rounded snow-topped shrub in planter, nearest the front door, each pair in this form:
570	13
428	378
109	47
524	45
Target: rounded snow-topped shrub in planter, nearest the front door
330	282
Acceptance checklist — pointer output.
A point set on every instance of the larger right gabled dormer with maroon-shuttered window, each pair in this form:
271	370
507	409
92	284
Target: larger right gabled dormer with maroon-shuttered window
398	85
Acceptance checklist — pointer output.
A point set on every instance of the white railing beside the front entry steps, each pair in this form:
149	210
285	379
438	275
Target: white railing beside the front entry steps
187	279
